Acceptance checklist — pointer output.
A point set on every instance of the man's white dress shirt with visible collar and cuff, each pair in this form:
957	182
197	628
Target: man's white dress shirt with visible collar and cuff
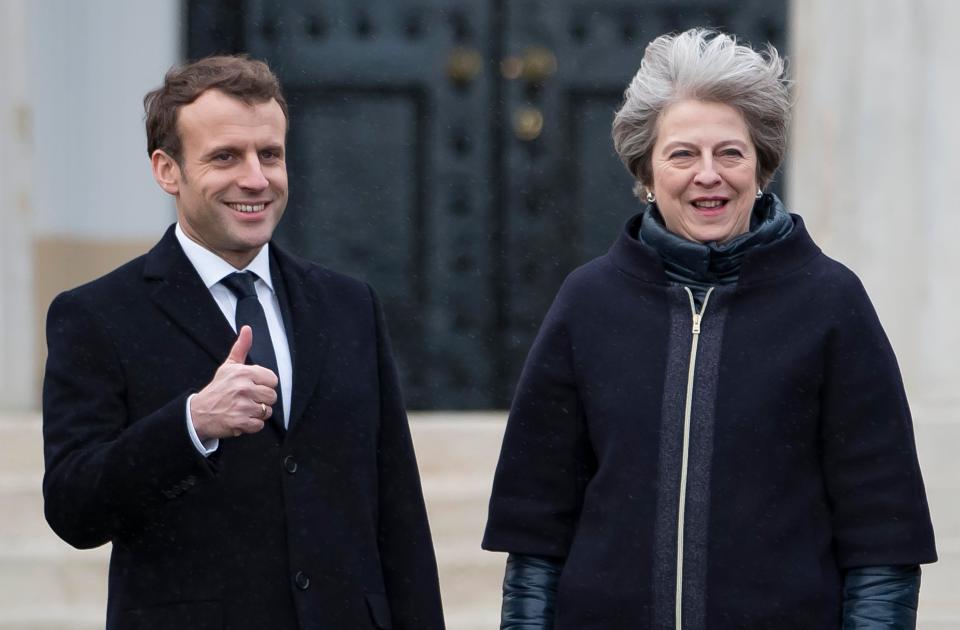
212	269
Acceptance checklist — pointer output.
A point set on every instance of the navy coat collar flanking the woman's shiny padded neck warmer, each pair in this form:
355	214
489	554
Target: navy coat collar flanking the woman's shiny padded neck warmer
760	264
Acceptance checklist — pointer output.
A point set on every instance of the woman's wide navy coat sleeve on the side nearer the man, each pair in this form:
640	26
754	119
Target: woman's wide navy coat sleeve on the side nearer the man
546	458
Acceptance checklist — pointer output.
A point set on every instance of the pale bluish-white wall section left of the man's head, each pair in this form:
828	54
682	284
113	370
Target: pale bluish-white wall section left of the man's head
90	64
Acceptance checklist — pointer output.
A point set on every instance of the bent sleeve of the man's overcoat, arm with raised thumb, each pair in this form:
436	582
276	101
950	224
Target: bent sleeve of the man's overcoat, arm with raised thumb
104	471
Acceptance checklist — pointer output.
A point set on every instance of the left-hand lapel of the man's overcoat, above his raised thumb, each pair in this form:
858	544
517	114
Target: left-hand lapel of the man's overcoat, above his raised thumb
181	294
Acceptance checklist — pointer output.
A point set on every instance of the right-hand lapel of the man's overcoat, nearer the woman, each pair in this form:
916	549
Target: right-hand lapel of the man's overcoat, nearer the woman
307	332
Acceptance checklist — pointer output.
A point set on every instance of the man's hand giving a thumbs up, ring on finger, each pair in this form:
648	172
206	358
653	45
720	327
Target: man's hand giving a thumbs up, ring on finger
239	399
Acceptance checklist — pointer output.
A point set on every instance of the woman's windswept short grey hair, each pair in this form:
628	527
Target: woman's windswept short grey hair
705	65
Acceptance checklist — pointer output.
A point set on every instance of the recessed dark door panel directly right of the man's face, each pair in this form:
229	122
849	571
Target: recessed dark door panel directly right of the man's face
366	174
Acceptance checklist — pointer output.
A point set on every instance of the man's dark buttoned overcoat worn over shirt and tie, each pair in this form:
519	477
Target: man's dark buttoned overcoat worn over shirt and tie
323	528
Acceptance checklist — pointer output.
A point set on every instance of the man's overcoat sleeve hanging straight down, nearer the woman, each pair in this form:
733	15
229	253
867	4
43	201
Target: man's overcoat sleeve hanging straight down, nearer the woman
406	549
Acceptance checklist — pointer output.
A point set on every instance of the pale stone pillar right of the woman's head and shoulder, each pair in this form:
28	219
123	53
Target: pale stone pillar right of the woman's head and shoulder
874	165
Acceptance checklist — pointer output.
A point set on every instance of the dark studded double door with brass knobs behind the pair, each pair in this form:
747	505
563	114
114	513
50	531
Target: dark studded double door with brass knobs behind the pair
456	154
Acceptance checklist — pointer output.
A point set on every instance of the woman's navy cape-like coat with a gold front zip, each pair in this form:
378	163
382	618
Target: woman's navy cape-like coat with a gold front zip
801	451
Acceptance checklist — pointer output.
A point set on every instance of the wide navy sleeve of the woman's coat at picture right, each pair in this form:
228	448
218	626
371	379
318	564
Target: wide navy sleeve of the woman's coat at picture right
869	459
